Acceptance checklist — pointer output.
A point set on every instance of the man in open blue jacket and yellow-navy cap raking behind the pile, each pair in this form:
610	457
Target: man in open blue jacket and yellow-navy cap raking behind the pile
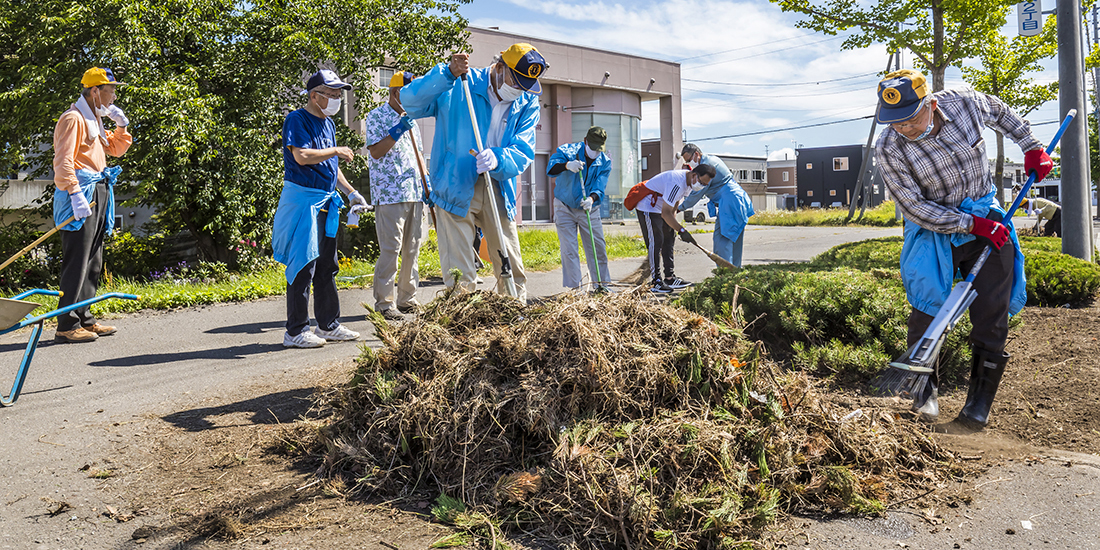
505	98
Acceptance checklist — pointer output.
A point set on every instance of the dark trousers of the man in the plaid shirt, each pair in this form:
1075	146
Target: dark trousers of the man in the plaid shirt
989	314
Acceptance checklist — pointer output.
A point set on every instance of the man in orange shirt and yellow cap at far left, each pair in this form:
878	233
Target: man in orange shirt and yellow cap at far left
85	192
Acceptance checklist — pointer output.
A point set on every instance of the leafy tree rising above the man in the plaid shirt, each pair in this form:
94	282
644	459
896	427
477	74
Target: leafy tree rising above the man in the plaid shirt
940	34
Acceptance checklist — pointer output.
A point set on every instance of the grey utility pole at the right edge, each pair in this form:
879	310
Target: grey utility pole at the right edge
1076	200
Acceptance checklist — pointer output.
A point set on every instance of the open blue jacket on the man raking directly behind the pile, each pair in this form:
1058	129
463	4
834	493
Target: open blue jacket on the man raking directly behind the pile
454	170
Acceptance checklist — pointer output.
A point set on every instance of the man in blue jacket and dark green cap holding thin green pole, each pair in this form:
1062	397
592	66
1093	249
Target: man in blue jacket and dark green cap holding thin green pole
581	172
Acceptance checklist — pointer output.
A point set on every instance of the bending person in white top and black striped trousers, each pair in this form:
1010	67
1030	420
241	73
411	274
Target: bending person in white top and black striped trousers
657	214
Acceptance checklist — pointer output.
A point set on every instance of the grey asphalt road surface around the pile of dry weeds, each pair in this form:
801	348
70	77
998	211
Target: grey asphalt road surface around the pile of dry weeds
162	364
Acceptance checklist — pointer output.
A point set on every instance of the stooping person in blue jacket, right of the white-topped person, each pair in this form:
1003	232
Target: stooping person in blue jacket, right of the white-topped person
734	205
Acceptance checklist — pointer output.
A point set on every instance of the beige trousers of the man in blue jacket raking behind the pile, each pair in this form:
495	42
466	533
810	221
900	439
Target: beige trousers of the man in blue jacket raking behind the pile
457	238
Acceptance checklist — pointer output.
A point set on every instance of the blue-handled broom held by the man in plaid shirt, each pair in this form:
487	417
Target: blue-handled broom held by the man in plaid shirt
908	376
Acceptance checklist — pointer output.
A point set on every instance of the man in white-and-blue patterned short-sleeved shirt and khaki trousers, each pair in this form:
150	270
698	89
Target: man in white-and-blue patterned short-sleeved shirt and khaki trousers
398	194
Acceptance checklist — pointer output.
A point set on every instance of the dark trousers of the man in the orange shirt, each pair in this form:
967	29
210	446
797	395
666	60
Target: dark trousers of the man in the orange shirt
83	263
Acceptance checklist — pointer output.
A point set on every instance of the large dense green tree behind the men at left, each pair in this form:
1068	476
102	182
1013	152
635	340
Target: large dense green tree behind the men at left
211	82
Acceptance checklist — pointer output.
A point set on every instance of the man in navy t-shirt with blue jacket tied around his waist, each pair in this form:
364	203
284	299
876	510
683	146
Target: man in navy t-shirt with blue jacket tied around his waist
309	215
